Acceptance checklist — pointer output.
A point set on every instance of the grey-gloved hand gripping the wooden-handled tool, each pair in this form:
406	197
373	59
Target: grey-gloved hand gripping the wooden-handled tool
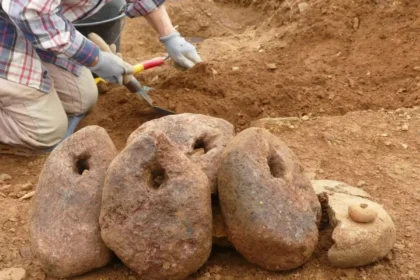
111	67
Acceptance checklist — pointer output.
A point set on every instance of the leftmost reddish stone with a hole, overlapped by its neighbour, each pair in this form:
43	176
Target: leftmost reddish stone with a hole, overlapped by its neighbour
64	219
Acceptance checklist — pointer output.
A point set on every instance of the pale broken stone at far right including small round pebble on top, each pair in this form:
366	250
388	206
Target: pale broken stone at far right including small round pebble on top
361	239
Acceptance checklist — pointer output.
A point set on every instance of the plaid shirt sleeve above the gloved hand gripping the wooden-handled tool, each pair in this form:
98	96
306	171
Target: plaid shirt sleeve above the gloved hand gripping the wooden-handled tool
43	24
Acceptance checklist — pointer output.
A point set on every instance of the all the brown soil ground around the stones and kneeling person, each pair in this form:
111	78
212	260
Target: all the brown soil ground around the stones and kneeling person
347	65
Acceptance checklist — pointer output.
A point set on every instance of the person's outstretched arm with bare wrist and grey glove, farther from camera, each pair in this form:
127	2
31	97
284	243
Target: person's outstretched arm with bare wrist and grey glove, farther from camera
181	51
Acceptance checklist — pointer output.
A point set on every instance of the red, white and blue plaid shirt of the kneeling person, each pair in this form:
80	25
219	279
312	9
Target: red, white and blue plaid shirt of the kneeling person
32	31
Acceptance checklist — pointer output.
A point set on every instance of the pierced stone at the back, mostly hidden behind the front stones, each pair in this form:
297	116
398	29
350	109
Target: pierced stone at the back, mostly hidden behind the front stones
201	138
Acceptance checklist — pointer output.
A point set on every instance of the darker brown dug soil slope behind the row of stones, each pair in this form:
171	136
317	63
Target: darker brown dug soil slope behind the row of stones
332	58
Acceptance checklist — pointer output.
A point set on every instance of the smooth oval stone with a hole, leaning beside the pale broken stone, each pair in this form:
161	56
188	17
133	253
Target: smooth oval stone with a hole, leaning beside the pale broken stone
270	208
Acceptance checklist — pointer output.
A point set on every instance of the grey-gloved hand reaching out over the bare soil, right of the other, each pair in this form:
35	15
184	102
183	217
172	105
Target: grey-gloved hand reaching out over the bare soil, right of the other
182	52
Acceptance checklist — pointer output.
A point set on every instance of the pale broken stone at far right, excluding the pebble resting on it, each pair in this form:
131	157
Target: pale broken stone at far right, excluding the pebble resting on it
355	244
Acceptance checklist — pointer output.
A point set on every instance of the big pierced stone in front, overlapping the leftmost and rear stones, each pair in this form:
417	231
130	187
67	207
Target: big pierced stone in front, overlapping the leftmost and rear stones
156	209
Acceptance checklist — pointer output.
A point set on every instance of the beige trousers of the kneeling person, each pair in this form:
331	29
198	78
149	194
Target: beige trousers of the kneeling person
37	120
